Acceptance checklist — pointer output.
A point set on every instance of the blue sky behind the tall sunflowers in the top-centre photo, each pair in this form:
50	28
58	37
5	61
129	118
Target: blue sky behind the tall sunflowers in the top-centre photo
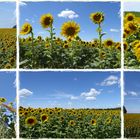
79	12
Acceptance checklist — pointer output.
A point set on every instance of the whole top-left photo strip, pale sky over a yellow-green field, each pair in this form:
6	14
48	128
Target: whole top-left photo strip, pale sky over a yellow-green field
8	35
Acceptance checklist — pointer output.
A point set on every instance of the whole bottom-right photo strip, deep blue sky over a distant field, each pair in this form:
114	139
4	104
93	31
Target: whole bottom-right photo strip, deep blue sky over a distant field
132	105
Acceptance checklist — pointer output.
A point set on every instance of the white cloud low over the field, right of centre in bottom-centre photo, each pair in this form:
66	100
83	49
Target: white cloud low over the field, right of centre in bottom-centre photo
91	95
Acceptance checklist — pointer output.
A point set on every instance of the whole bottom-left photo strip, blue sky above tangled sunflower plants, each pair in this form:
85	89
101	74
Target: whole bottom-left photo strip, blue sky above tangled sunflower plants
7	105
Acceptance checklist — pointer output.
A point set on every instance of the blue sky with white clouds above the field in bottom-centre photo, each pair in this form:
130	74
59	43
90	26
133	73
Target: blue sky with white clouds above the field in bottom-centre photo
70	89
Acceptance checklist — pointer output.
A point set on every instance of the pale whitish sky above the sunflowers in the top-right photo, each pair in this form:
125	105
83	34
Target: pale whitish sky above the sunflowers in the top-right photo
132	6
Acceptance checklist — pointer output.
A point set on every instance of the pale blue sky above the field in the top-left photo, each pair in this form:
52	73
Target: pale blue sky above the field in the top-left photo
7	14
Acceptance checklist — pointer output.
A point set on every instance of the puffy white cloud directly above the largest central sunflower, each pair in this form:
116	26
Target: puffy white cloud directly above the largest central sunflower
68	14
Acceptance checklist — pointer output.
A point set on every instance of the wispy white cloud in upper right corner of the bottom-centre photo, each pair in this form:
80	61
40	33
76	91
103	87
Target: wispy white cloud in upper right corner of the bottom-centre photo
111	80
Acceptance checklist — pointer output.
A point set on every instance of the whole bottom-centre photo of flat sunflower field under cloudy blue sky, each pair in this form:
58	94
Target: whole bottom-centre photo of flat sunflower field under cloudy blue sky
70	105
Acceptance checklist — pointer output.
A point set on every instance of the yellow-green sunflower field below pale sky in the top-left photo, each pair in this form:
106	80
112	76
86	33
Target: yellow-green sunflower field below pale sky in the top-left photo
7	48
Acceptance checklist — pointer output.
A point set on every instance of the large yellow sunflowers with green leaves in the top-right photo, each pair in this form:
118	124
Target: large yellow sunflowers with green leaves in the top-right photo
131	38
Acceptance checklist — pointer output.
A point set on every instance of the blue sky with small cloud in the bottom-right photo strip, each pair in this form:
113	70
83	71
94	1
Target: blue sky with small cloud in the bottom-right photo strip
132	92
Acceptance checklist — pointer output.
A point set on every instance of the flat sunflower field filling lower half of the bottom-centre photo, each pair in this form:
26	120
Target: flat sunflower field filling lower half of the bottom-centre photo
69	123
